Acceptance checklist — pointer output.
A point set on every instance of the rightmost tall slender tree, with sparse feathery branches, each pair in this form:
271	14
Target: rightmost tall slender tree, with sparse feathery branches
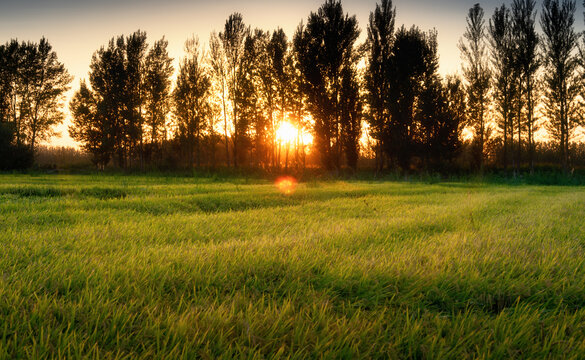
559	46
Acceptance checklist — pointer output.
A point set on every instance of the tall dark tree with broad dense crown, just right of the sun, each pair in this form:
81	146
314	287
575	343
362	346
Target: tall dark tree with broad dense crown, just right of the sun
324	48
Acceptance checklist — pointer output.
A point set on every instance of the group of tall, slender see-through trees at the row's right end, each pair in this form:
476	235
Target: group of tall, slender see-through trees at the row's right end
510	66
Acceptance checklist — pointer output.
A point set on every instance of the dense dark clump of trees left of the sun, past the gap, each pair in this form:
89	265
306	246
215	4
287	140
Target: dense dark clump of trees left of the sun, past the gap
126	85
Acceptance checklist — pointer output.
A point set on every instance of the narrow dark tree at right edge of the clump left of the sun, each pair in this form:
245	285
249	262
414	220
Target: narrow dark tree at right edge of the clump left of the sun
157	91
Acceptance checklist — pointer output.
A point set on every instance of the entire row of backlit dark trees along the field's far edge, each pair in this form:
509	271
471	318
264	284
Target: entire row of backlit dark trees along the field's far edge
225	103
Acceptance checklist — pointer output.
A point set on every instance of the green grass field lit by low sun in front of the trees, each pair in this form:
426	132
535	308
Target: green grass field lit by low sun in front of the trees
155	267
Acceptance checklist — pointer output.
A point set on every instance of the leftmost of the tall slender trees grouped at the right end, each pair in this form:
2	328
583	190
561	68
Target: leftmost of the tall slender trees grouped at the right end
477	76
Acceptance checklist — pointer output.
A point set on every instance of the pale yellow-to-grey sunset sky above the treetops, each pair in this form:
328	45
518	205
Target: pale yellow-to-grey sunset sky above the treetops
76	28
